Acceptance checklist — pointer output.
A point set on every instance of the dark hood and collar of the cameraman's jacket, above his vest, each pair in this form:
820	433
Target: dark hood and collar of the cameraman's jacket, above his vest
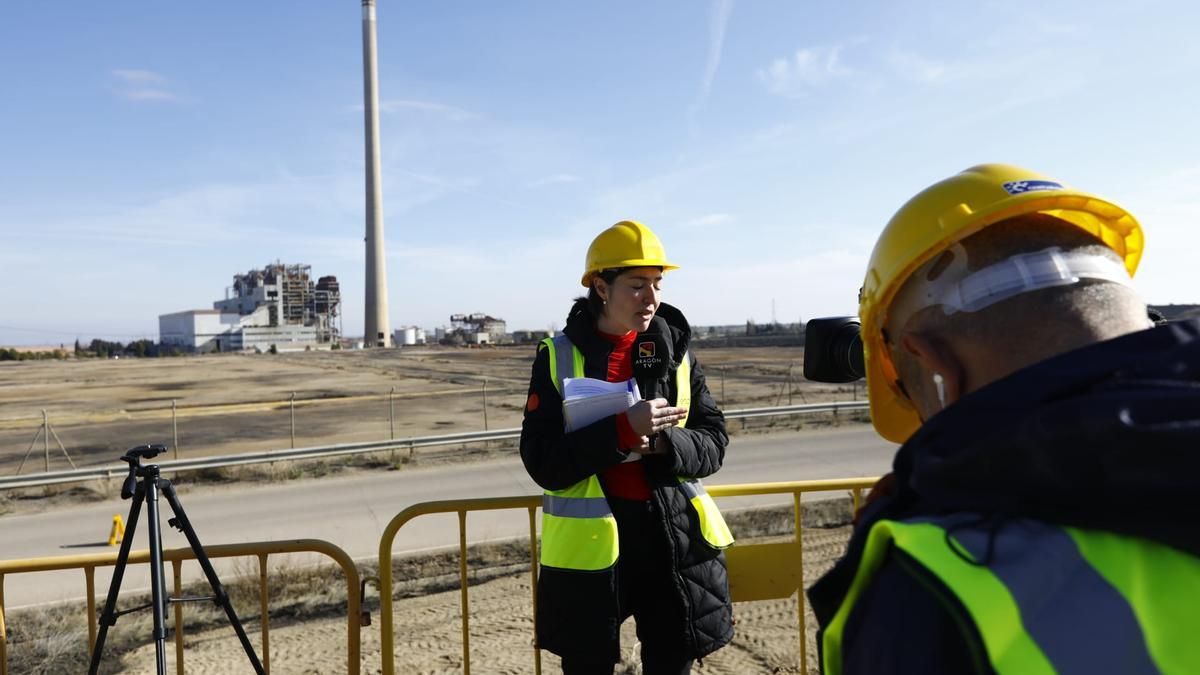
1105	438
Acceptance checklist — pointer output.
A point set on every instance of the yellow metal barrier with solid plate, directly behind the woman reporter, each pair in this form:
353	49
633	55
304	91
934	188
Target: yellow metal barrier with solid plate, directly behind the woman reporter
758	572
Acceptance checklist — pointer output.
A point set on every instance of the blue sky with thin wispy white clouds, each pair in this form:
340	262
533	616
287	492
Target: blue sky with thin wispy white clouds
152	151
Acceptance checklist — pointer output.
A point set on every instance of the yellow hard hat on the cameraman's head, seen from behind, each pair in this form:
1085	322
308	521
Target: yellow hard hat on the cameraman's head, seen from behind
945	214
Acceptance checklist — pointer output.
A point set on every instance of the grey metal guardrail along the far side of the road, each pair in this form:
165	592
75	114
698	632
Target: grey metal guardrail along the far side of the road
121	471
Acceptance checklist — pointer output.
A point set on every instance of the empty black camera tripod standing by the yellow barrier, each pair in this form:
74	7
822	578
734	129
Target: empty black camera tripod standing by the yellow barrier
147	489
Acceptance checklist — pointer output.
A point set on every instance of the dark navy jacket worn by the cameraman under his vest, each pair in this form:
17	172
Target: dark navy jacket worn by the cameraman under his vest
1105	438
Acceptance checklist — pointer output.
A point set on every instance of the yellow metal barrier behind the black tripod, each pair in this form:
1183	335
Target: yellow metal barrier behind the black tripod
177	557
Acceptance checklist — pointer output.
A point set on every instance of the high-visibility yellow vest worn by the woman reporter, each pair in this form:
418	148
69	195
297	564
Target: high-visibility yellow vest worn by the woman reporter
578	528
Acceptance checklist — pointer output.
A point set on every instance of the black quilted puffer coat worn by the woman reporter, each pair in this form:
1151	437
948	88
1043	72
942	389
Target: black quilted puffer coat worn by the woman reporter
578	612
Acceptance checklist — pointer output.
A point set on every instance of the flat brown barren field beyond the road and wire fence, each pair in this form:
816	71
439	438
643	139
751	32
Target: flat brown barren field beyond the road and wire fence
242	403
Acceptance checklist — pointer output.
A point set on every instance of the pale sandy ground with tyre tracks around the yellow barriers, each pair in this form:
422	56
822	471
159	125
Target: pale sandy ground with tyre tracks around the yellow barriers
429	638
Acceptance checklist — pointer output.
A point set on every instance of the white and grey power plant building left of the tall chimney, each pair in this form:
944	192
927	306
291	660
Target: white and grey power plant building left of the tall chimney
277	307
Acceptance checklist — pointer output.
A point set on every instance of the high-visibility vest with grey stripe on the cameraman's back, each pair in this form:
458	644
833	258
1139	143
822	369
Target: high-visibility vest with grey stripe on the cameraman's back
1047	599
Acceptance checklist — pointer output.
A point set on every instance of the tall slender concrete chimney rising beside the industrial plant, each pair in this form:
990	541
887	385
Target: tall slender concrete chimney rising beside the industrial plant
377	332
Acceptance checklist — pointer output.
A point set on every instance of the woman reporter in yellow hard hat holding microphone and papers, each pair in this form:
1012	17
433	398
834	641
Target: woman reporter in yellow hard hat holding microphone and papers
628	529
